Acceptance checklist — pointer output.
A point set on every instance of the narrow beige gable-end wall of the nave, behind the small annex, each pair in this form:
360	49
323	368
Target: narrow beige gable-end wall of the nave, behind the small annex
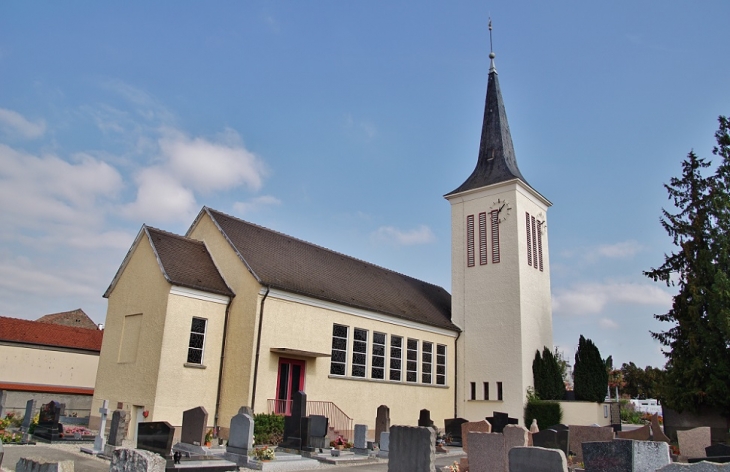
242	319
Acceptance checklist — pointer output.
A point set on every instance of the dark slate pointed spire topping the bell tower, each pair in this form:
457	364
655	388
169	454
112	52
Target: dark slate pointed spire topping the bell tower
496	162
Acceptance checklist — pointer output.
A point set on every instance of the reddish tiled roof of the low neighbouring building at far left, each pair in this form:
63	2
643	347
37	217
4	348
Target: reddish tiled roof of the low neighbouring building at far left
47	334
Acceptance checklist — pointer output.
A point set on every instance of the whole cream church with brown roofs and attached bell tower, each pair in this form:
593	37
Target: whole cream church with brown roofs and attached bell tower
233	314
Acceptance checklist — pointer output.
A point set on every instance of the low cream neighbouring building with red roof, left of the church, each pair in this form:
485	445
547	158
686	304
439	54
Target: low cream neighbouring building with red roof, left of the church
45	362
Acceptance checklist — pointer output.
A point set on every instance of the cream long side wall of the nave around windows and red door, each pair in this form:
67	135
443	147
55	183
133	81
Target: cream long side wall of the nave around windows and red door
296	325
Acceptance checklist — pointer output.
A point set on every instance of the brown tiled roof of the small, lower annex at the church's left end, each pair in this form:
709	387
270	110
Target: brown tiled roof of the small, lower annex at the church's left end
186	262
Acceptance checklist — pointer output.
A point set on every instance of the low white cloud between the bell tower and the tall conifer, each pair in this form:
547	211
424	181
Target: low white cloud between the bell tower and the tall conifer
590	298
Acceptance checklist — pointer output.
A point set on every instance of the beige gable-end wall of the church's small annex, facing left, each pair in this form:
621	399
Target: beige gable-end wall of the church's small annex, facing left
129	362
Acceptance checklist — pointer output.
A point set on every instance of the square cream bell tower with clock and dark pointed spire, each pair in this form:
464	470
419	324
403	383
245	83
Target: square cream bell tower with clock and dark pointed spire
500	275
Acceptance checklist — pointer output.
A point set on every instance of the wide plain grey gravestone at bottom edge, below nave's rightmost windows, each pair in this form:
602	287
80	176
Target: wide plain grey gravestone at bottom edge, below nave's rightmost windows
412	449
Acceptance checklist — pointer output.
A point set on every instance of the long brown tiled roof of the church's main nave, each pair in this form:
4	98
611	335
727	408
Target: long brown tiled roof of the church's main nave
286	263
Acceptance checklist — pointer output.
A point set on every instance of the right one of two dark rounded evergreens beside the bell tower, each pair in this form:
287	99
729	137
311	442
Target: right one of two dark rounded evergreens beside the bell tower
591	376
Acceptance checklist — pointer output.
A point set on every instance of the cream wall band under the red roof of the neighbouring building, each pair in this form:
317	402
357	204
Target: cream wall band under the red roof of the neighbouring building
43	366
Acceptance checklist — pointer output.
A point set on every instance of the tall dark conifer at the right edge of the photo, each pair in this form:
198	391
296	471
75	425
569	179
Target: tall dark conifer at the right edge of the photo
698	342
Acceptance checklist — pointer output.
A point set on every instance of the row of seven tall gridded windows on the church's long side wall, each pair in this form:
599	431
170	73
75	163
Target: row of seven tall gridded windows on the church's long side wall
432	369
